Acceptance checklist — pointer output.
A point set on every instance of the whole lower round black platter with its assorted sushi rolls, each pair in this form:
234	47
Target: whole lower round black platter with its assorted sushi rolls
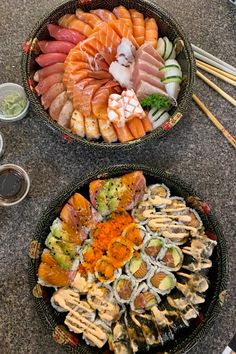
128	261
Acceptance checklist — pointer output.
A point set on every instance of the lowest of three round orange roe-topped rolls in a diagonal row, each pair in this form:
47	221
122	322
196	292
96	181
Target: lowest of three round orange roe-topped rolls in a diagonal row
105	272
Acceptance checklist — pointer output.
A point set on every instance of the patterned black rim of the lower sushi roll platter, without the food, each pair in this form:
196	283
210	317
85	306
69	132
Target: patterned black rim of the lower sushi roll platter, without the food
218	274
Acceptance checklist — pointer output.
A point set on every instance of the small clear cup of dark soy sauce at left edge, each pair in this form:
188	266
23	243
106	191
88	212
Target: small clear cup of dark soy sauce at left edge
14	184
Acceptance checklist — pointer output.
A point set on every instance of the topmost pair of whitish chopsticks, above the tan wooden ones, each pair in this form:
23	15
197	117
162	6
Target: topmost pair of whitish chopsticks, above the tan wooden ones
211	59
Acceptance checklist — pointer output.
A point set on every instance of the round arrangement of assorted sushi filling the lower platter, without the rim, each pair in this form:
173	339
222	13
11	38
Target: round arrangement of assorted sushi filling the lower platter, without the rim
117	279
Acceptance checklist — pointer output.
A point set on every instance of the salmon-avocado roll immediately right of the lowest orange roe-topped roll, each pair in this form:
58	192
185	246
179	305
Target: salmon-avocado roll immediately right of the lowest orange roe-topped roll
137	268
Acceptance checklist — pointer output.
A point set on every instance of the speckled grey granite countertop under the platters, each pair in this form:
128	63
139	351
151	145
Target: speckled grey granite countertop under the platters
195	151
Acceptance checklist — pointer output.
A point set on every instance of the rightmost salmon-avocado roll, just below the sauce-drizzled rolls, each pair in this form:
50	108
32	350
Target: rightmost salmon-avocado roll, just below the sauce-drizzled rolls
172	258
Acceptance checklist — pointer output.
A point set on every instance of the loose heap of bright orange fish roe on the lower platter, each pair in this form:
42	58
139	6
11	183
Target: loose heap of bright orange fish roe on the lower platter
103	235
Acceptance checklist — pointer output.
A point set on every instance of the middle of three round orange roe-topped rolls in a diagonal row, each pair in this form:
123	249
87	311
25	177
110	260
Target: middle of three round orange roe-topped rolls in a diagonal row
120	251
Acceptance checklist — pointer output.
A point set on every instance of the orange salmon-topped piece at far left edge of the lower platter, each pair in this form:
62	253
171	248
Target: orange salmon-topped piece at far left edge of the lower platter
51	274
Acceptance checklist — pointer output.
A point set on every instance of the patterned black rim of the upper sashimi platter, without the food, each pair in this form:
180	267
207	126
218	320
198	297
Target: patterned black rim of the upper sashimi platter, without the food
167	26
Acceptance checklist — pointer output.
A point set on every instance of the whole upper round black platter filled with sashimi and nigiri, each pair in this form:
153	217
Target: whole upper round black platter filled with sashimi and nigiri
109	73
